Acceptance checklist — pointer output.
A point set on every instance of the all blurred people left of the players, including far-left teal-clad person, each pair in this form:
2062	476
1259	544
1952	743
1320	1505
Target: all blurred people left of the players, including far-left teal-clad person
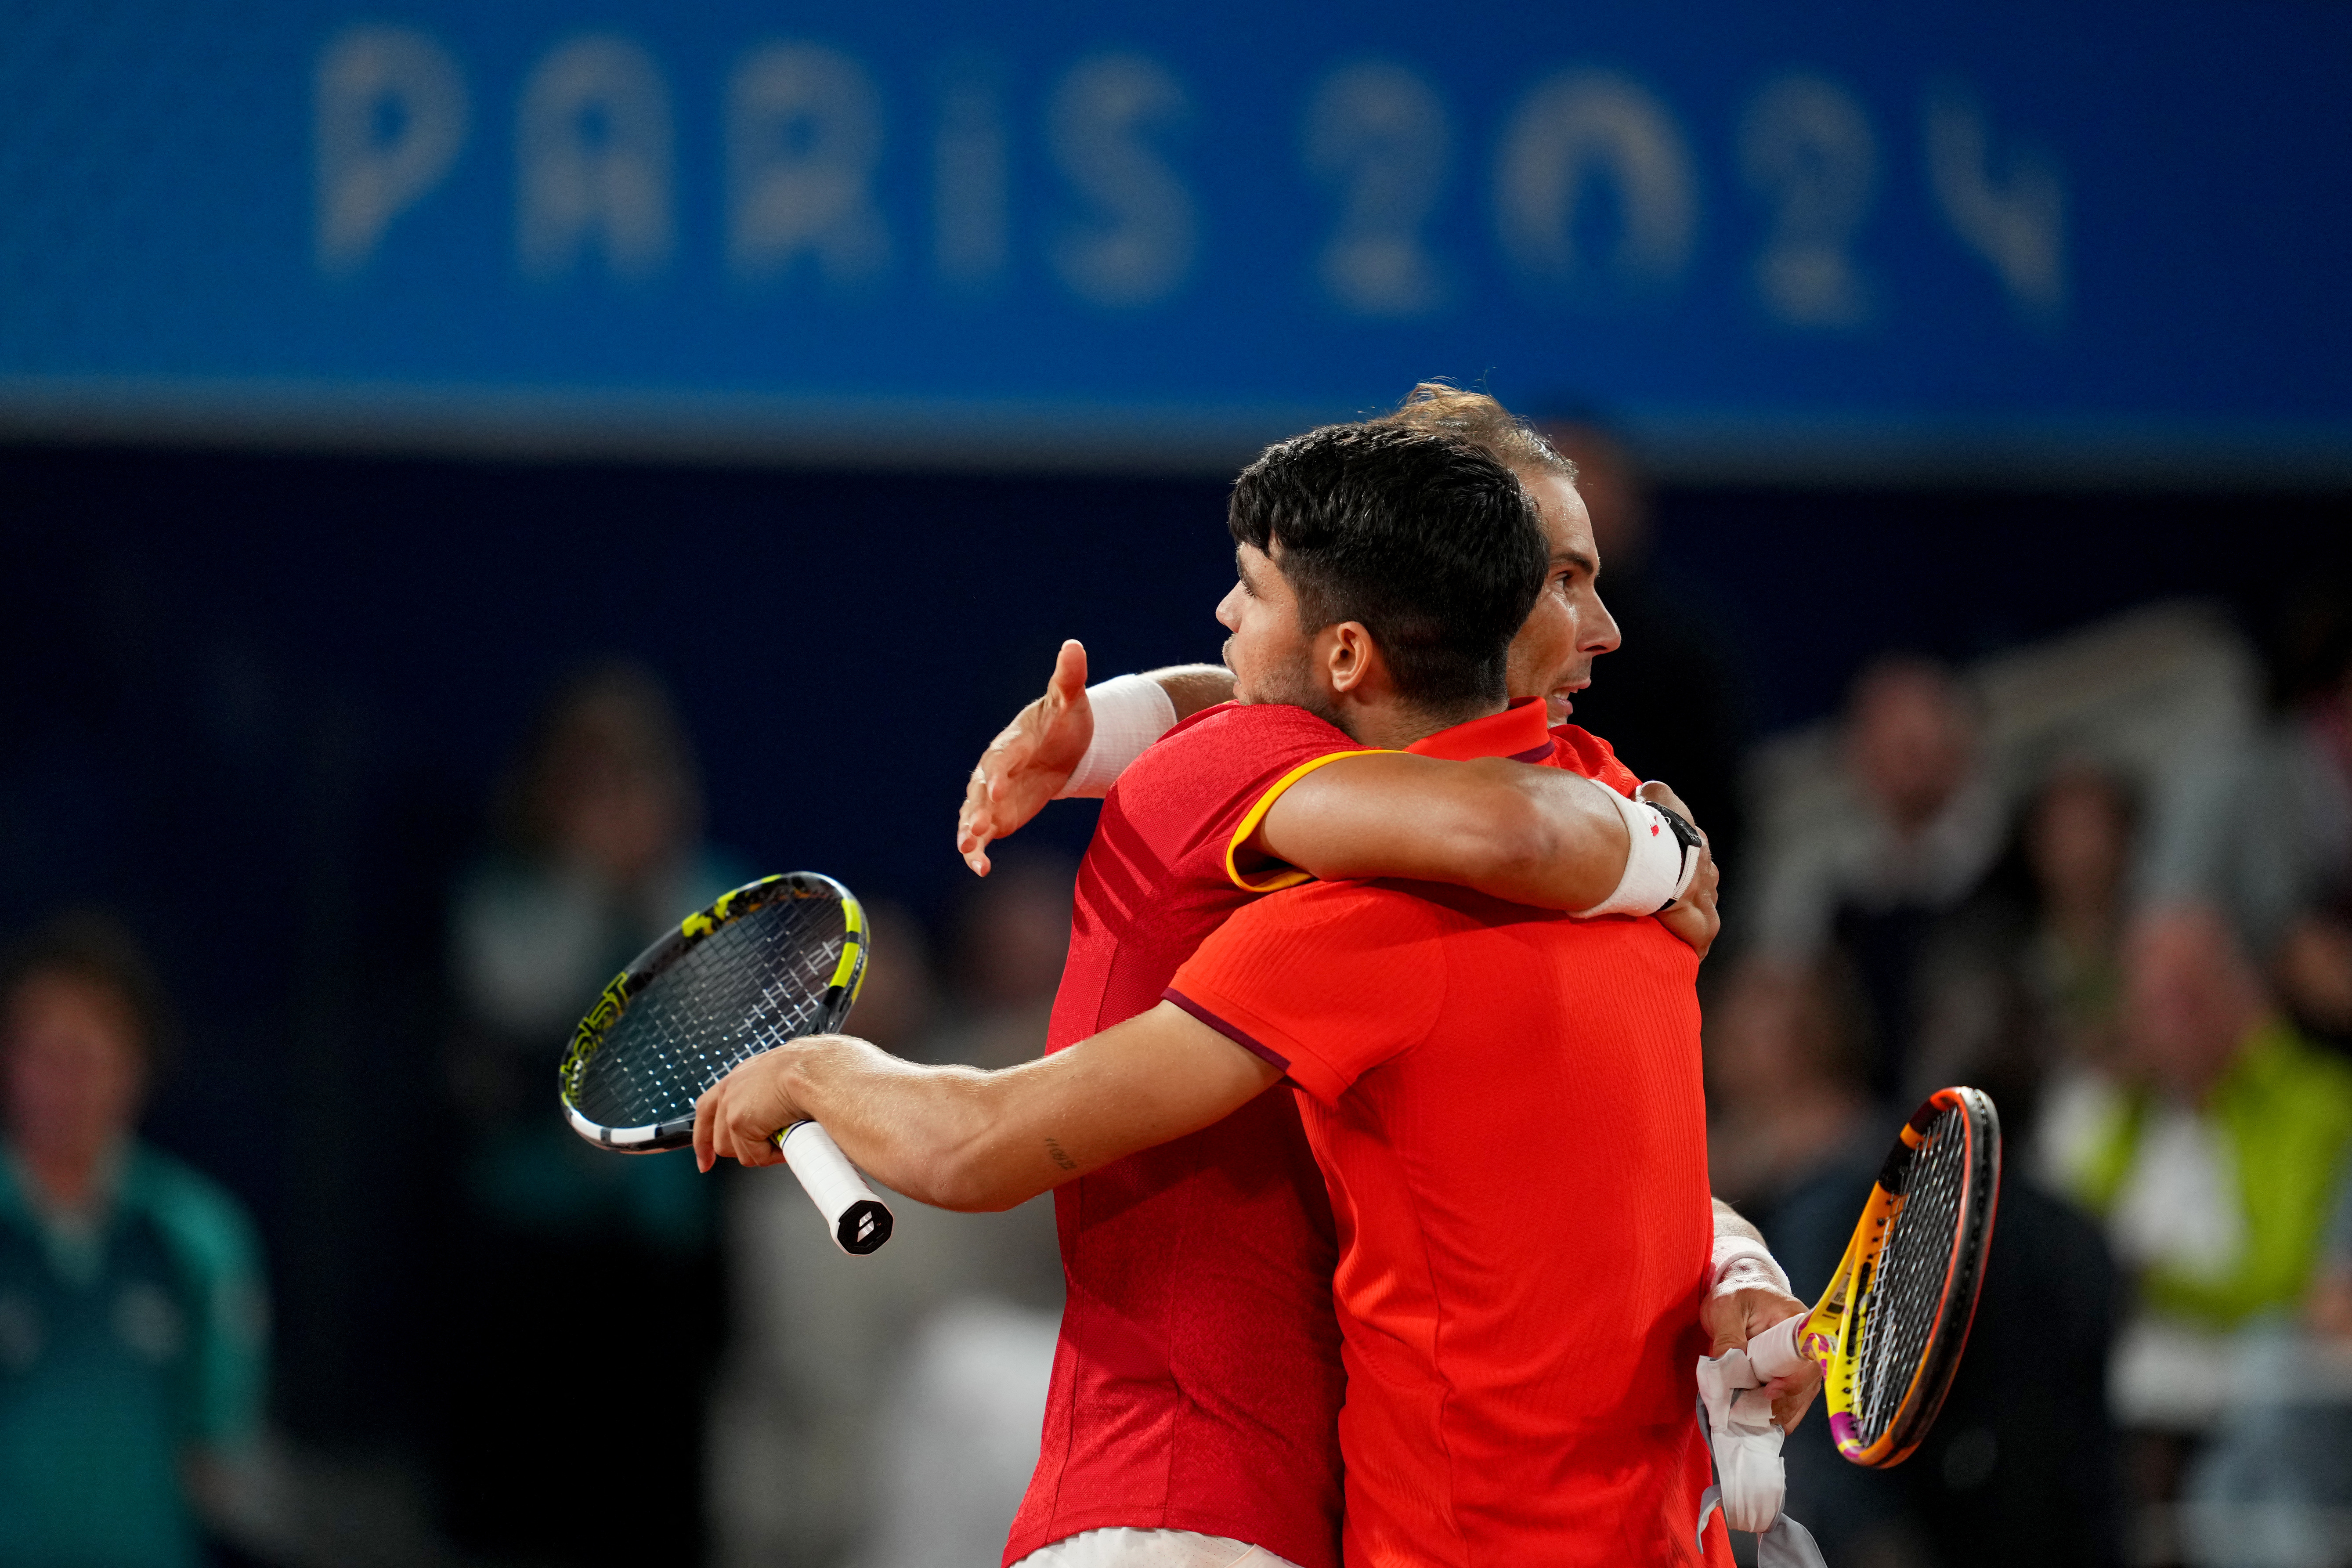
799	1407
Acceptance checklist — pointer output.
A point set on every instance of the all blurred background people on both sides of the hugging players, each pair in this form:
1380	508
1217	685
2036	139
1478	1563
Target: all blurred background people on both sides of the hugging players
2106	878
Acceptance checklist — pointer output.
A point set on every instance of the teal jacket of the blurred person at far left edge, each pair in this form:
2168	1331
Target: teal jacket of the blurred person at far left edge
119	1353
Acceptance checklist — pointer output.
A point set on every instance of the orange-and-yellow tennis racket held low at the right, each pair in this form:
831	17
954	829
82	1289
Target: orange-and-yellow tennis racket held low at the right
1895	1320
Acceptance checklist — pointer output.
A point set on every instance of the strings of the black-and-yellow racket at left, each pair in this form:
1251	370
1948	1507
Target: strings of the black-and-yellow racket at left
740	991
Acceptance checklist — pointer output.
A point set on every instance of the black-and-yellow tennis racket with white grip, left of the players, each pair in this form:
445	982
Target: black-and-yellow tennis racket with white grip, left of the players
768	963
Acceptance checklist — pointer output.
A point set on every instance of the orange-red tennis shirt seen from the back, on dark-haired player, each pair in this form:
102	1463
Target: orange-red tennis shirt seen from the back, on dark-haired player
1509	1113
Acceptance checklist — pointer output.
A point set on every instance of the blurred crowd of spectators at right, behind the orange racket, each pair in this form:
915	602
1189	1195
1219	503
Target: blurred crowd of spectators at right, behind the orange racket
2106	880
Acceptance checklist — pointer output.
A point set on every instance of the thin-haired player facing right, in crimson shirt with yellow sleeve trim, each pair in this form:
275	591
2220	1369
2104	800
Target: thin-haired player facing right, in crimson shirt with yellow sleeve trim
1132	1447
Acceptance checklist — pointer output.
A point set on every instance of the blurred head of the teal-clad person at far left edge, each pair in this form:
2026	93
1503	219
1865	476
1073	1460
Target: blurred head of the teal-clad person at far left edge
74	1068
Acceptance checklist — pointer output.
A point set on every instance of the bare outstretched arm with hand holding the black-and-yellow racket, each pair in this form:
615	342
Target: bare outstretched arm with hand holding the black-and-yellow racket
982	1141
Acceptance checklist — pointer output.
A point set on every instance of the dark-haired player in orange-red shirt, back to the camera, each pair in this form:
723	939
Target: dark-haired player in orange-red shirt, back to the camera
1502	1101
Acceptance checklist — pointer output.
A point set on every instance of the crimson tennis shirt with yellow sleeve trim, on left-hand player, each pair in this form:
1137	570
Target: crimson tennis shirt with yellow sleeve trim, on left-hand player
1198	1376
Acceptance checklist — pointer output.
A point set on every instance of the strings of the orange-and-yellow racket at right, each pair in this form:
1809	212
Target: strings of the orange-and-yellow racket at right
1909	1282
